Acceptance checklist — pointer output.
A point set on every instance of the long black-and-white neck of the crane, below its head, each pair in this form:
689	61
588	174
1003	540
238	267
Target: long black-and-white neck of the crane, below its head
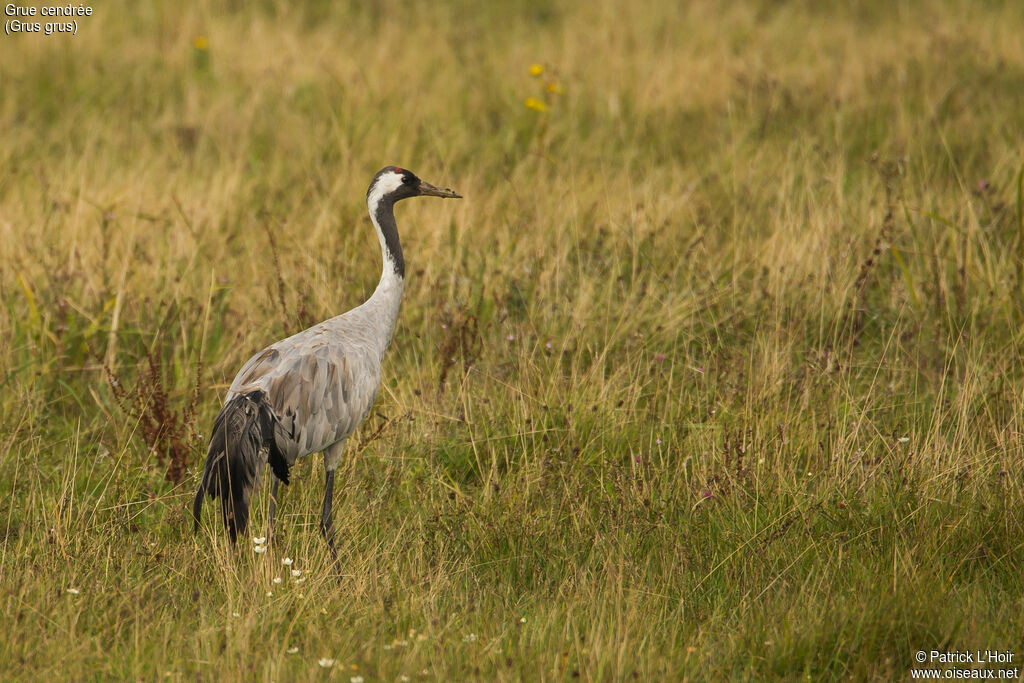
387	300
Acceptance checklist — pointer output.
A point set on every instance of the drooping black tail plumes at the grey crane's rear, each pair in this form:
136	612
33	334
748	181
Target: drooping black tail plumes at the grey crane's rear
243	440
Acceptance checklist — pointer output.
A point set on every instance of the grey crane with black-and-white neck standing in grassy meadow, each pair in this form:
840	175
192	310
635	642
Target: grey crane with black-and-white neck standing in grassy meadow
308	394
